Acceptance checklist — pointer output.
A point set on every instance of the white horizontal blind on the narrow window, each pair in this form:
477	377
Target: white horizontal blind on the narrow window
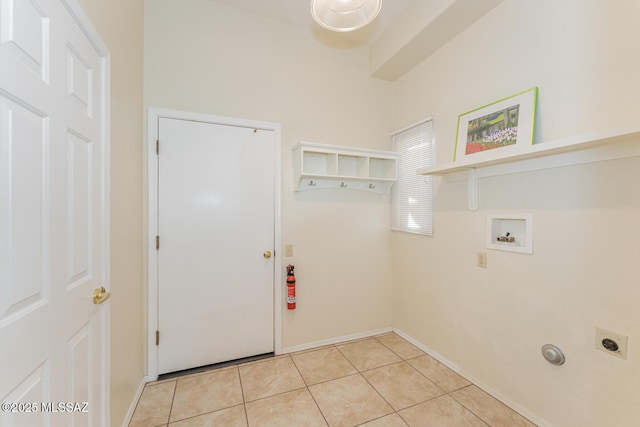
412	198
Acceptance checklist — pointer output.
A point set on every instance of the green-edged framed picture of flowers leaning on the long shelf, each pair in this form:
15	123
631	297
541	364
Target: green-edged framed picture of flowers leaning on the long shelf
496	130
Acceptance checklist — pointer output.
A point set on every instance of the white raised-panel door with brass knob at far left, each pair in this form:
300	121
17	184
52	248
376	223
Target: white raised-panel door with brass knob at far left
53	218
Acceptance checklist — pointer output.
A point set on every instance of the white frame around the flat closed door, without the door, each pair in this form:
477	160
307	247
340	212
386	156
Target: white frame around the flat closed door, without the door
153	118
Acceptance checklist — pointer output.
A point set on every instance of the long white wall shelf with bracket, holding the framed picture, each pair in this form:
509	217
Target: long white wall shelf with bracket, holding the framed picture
593	147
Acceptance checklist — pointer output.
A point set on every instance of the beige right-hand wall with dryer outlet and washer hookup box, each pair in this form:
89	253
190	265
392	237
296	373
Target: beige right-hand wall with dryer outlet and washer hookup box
584	271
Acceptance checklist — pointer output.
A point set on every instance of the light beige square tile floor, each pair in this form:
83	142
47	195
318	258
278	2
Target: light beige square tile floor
383	381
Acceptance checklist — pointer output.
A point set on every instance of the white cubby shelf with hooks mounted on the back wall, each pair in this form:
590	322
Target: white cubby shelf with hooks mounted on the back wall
318	166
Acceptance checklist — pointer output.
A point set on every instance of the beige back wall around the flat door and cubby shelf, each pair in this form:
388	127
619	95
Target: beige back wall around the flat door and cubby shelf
207	58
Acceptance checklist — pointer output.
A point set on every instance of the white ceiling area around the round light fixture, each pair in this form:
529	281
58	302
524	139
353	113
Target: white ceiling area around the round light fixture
298	13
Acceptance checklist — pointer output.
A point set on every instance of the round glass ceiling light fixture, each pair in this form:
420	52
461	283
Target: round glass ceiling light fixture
344	15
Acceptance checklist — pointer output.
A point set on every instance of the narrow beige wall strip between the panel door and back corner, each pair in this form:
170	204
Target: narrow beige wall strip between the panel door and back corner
119	23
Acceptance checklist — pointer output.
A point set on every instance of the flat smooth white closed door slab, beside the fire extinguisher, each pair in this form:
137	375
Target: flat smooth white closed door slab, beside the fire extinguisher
216	220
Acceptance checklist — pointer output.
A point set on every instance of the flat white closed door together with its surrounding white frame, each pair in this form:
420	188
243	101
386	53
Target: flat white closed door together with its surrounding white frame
223	258
